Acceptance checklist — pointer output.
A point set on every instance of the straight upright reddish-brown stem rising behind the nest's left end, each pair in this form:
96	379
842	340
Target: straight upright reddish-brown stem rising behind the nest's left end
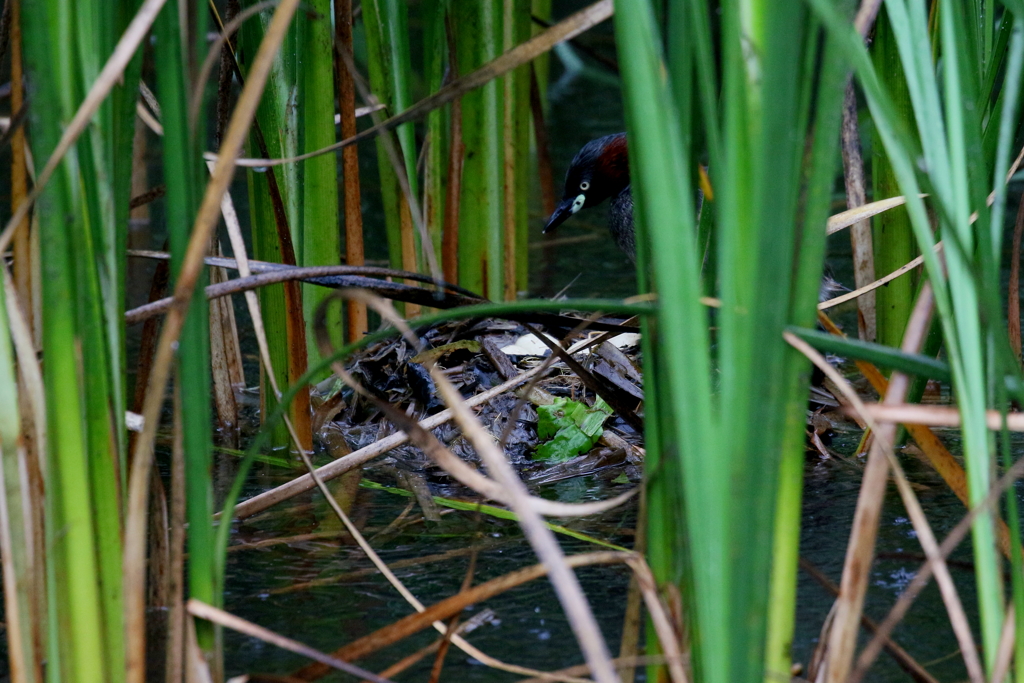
346	88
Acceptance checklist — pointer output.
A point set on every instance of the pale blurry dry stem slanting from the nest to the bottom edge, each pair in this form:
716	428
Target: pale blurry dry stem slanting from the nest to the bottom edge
541	538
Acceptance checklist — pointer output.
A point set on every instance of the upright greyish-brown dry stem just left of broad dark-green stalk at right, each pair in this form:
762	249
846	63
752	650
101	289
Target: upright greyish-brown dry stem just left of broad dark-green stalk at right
861	233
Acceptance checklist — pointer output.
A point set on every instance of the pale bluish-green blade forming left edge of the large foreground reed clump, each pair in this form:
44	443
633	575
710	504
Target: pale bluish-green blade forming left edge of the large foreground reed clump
662	181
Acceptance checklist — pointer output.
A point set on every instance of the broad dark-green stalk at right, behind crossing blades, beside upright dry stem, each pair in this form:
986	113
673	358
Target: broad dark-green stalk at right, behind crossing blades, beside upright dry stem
893	239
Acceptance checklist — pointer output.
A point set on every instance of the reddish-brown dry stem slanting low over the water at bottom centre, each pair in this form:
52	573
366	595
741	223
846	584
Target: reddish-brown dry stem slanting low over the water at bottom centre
448	608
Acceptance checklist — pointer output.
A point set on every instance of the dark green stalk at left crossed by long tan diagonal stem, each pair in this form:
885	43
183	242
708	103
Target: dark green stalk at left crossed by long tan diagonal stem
185	178
